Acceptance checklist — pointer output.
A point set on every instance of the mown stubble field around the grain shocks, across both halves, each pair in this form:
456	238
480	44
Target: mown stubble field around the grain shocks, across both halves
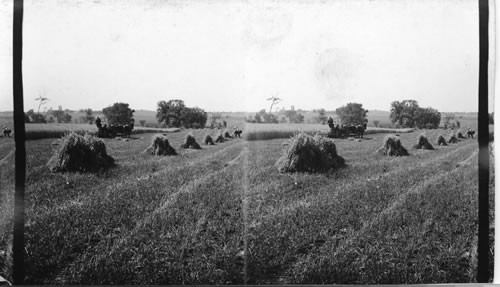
224	215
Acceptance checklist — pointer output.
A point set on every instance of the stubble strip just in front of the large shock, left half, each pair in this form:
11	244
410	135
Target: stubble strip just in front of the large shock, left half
74	187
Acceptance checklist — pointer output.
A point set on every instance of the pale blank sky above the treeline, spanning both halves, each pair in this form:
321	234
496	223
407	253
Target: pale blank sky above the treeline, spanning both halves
232	55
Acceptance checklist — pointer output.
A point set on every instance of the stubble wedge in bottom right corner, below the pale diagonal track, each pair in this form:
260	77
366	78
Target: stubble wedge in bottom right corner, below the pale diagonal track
426	236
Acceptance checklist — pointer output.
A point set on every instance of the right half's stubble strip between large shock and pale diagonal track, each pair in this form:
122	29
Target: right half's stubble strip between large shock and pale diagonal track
332	211
